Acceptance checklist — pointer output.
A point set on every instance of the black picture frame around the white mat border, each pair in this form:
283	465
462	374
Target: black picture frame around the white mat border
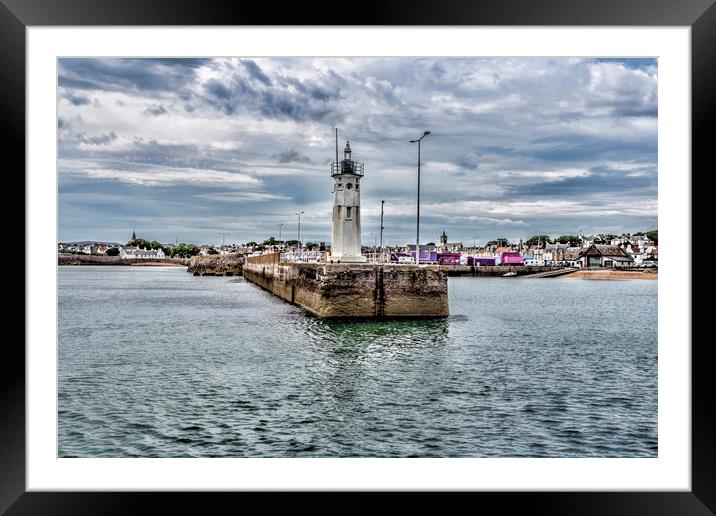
16	15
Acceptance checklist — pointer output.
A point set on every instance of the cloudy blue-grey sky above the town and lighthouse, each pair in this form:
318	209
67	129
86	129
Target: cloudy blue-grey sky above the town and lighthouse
188	149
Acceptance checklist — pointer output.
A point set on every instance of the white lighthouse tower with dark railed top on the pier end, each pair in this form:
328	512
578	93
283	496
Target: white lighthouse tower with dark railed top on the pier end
346	241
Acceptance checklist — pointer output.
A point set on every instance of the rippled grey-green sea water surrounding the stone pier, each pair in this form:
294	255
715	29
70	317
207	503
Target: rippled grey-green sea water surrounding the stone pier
155	362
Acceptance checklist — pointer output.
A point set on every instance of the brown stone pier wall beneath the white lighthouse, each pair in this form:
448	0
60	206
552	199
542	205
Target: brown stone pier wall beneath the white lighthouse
353	290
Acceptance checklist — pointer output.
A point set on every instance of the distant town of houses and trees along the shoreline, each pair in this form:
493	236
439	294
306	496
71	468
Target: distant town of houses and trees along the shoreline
630	250
